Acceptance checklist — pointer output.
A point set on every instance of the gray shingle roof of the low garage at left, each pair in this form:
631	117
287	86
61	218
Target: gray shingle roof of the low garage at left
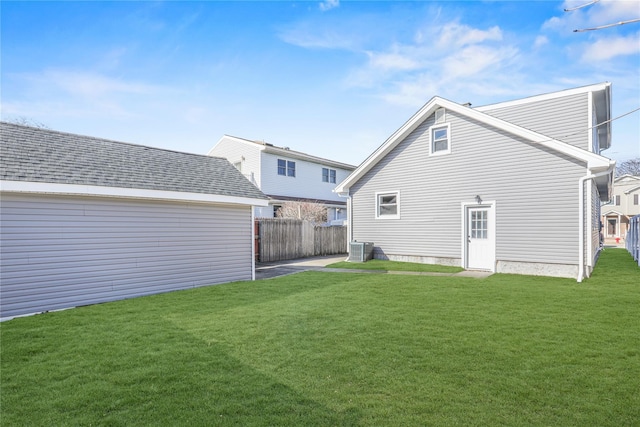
42	155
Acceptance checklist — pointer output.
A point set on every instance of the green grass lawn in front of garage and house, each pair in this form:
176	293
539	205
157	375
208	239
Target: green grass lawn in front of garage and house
330	349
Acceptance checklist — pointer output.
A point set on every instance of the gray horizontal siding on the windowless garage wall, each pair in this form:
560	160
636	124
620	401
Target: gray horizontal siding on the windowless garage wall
59	252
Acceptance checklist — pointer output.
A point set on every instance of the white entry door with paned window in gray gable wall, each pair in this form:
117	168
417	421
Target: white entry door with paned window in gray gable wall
480	238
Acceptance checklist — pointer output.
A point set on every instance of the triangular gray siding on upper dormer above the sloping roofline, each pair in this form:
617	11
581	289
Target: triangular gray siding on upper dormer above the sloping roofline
565	118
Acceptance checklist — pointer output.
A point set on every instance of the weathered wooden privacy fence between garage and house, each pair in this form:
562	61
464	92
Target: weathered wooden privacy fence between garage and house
281	239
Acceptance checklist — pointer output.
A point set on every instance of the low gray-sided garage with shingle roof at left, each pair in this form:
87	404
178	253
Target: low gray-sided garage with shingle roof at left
87	220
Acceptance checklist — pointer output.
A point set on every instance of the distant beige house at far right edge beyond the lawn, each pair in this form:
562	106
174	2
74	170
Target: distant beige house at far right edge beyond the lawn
624	204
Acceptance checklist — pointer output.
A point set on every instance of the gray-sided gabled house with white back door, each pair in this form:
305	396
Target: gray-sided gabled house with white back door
513	187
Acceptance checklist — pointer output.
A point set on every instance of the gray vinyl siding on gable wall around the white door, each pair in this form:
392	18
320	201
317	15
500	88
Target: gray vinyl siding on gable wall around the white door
535	192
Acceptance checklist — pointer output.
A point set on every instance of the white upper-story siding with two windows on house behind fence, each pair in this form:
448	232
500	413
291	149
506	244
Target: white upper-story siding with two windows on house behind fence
306	184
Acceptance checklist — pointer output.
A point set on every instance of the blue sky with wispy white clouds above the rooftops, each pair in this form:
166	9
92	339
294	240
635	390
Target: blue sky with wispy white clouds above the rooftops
332	78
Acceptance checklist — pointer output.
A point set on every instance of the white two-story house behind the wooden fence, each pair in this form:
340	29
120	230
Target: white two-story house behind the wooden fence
287	175
